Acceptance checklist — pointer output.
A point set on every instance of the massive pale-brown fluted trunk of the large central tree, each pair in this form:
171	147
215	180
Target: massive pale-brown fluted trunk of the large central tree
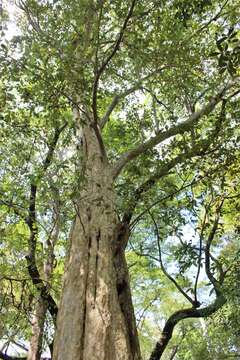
96	319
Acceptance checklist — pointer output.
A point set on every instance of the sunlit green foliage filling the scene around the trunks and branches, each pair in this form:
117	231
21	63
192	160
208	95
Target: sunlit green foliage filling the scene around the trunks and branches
184	51
